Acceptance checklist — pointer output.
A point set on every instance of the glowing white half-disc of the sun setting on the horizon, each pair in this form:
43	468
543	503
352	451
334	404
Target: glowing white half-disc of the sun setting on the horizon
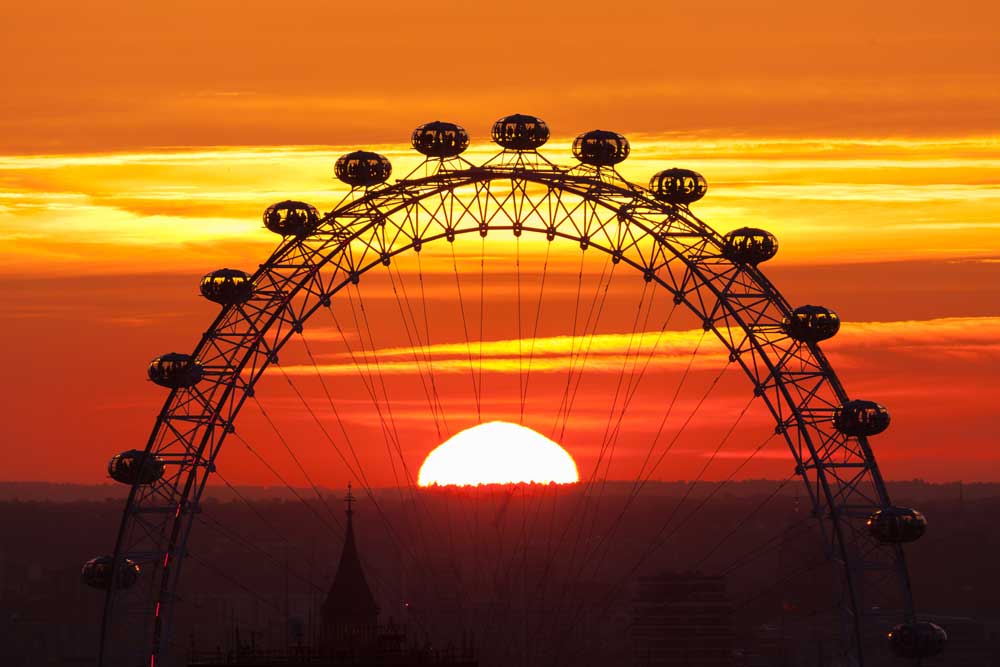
497	453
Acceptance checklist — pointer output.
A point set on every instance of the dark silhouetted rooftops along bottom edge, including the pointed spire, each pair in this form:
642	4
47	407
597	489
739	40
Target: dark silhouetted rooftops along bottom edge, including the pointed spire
349	635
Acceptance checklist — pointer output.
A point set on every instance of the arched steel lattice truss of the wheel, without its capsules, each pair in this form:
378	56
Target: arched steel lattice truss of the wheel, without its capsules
519	192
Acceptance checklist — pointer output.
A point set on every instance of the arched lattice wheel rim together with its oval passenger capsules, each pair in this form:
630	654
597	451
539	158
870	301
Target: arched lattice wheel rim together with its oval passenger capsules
648	232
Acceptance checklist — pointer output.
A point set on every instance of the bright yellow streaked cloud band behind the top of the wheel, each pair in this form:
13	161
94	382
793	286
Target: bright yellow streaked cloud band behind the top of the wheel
828	200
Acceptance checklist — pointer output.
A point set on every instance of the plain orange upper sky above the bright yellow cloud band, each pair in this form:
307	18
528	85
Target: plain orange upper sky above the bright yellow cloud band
110	74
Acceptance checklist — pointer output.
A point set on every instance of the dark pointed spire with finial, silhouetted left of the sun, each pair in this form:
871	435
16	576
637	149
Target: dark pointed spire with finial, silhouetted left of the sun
350	615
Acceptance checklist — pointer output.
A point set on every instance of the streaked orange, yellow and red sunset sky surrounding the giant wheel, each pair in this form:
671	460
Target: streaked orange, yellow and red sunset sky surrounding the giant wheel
139	143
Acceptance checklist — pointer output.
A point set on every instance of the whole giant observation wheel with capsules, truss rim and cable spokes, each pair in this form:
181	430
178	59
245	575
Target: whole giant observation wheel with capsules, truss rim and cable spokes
644	237
